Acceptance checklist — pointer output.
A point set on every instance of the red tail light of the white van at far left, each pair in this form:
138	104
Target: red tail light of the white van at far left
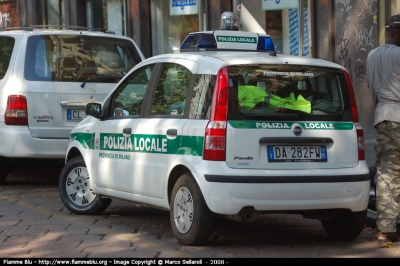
16	112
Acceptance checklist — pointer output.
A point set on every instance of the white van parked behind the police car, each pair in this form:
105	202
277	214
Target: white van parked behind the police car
47	76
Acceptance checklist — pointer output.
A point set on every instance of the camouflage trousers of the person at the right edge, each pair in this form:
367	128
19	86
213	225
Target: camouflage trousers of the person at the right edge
388	169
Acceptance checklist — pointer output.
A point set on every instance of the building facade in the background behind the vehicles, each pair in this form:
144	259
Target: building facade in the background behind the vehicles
341	31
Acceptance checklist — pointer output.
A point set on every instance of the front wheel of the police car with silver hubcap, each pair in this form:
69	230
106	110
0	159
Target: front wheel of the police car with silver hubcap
75	190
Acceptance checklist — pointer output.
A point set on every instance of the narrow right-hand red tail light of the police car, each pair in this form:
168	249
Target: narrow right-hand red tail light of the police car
354	114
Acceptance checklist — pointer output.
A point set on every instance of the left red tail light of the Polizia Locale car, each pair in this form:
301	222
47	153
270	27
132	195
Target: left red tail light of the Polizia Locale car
215	137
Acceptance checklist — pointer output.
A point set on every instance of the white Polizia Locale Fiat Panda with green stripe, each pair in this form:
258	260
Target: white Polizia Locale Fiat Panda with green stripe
226	126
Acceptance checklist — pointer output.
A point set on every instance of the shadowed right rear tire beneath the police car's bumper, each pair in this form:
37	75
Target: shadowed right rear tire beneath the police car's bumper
345	225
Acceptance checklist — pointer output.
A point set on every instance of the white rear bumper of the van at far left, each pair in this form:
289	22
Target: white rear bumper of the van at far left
17	142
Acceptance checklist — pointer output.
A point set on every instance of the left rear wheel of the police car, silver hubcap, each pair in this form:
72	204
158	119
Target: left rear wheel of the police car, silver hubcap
191	220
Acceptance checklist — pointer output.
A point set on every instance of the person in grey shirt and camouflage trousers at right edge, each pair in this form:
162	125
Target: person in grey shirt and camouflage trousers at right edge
383	77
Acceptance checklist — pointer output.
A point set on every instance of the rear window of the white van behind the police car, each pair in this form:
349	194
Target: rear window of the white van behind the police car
76	58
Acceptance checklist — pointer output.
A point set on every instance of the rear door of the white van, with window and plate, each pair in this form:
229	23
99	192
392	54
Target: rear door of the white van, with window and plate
63	72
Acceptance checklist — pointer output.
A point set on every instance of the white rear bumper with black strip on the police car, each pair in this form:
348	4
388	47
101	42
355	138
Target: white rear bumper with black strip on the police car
228	190
